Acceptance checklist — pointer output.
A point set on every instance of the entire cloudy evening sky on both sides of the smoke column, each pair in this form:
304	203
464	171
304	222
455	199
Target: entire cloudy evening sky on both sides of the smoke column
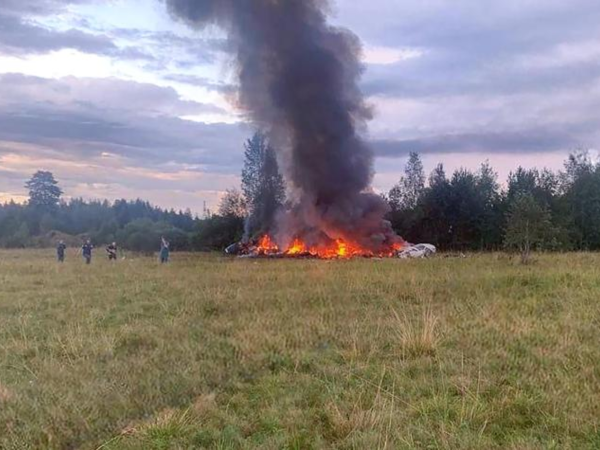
118	100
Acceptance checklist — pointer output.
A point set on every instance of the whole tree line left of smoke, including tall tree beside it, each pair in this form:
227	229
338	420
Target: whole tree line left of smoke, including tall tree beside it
137	225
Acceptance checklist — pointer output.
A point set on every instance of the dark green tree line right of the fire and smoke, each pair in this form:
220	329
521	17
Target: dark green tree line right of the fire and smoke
537	209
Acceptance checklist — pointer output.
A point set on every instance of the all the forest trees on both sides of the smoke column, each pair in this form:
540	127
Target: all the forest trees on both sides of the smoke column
466	210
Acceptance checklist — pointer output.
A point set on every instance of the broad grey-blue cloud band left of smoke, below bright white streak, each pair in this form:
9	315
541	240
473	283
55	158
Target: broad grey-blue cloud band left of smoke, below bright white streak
135	121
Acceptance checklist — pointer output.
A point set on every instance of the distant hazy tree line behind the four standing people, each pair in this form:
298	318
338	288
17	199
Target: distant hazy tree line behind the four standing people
47	218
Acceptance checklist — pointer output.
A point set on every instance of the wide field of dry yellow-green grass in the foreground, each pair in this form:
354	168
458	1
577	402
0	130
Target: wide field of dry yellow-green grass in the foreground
210	352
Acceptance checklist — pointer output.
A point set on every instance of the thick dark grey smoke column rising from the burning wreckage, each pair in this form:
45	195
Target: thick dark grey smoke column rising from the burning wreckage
299	82
